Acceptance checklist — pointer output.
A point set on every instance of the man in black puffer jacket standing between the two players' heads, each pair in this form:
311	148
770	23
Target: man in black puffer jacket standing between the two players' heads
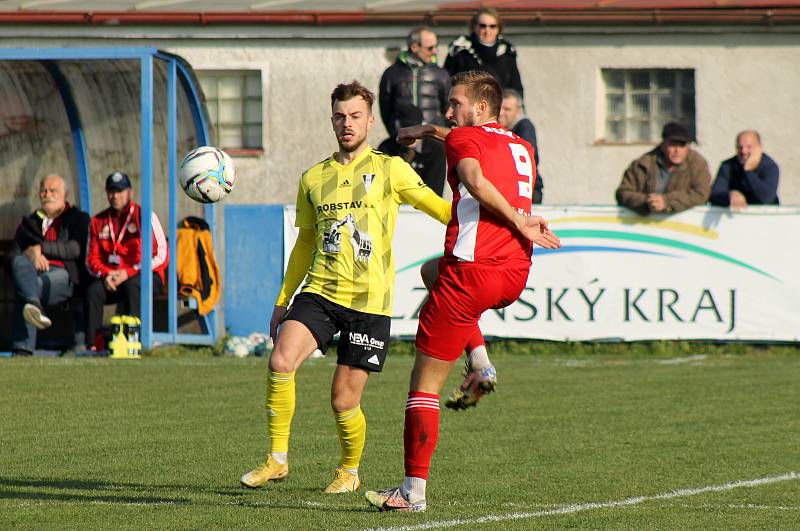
414	81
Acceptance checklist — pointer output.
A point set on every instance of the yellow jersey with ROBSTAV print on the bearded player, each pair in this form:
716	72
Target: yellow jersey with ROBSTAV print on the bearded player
352	210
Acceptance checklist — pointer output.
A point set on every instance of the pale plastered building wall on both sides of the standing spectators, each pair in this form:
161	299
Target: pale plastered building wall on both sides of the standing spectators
743	80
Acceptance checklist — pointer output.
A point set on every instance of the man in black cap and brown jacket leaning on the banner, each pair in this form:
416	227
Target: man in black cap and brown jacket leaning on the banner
670	178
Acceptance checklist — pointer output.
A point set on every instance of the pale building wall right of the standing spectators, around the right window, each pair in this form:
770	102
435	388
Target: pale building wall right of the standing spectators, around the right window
741	82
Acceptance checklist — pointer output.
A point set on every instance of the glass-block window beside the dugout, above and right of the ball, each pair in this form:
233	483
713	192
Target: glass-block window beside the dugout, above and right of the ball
233	100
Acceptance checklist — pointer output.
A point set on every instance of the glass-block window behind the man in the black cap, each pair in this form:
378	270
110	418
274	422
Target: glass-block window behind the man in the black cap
638	102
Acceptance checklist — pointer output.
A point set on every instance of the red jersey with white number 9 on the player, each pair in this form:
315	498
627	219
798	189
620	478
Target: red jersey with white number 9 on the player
474	233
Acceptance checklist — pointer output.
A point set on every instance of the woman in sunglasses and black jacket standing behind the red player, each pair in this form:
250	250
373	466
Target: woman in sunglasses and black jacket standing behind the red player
486	50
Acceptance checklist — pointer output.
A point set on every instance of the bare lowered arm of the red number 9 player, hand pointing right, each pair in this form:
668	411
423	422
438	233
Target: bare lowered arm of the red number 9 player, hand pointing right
533	228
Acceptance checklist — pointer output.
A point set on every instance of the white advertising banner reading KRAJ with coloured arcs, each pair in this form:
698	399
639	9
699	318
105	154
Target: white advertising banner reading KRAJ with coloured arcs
703	274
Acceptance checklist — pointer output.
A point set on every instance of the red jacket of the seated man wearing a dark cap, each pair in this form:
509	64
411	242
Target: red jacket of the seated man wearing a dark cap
115	242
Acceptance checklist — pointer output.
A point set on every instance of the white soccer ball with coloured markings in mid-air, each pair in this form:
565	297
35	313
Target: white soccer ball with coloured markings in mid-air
207	174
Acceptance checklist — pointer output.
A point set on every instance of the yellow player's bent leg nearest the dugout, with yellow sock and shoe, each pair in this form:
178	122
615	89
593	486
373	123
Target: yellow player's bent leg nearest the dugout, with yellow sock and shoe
294	345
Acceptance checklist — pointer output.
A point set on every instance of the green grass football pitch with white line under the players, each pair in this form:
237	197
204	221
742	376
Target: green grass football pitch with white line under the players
570	440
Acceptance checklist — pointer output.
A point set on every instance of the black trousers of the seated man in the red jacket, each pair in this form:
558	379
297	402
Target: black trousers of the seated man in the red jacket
127	297
